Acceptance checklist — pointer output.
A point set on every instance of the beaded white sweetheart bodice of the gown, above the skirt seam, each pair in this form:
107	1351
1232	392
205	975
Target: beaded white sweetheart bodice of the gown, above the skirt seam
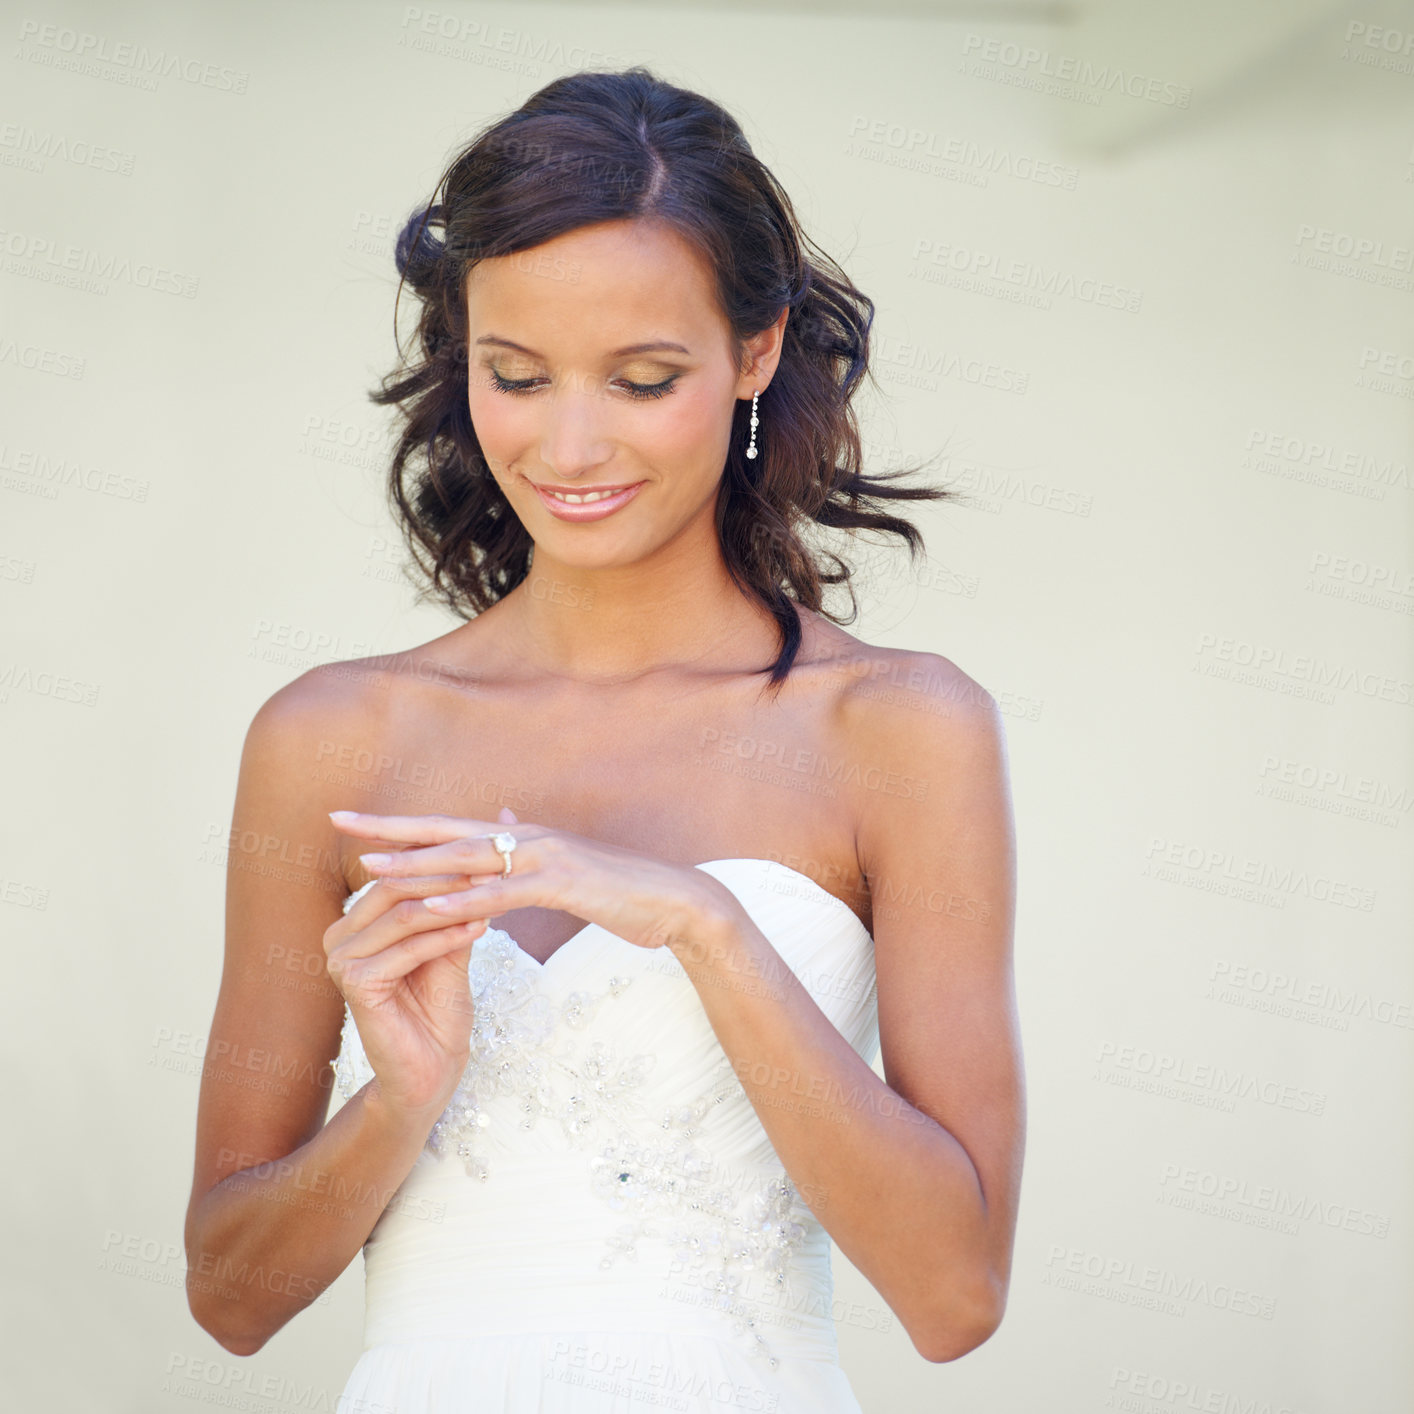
602	1162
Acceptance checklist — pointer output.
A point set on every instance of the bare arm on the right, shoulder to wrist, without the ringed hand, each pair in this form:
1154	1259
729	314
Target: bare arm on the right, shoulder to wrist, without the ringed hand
916	1177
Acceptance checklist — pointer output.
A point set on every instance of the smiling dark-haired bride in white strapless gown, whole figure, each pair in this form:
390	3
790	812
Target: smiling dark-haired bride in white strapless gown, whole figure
619	928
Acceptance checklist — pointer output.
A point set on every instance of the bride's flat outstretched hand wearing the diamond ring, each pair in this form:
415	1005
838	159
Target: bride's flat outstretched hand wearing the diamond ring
647	901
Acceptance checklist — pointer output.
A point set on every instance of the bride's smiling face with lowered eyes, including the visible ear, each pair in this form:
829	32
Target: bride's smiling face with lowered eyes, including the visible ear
600	363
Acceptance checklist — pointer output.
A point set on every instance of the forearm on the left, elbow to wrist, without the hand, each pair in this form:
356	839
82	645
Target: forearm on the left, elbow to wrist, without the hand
269	1239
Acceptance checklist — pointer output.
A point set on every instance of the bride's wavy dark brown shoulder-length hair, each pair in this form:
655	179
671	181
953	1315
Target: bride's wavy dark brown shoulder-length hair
609	146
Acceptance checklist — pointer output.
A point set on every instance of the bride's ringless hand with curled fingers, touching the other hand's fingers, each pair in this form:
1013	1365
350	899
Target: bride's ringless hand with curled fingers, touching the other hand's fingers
404	974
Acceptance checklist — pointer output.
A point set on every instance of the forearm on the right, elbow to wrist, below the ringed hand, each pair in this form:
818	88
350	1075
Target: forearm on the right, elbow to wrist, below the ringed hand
892	1186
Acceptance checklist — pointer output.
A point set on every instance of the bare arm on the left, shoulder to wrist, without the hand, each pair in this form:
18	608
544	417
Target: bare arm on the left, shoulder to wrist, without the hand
281	1201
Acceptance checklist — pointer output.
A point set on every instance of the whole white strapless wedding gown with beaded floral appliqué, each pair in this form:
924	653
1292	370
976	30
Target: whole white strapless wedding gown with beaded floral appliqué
599	1222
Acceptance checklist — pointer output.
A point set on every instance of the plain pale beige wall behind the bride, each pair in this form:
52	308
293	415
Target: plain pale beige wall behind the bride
1187	575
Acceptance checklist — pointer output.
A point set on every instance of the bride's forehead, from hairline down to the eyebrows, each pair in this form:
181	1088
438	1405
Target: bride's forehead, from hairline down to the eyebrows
609	284
